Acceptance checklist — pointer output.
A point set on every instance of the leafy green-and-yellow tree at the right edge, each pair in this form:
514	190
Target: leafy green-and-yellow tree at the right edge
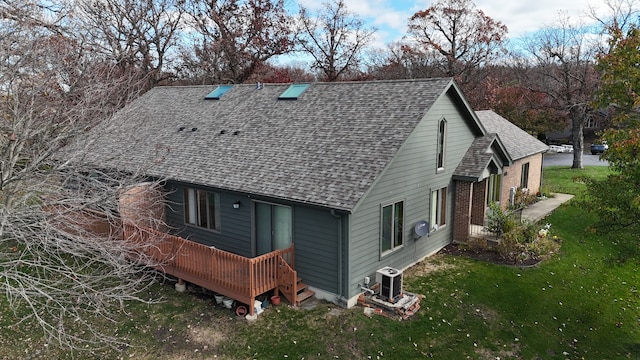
616	200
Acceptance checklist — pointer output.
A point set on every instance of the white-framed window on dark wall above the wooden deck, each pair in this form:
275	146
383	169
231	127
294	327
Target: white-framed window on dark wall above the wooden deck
202	208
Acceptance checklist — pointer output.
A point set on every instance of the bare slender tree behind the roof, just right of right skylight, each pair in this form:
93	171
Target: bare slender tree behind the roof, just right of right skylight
335	40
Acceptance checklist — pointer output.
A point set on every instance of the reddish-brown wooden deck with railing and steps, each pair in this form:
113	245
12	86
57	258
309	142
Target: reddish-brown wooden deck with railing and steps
235	276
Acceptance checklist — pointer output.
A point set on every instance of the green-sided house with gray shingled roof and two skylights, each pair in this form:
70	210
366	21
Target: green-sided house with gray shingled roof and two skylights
357	175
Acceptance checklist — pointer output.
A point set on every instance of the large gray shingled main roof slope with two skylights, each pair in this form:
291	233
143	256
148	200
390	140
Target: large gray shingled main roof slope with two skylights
325	148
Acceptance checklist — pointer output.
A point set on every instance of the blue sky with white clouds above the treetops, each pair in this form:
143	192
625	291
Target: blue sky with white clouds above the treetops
520	16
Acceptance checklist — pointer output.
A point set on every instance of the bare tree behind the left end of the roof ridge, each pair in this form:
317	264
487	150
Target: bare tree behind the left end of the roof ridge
140	35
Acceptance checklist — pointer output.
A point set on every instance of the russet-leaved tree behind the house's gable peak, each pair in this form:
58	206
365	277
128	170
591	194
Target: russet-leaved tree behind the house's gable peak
462	36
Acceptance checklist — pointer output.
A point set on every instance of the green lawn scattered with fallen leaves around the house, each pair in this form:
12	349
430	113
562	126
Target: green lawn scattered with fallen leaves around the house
579	304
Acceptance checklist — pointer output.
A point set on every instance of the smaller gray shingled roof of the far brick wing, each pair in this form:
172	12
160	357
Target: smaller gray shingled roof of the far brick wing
517	142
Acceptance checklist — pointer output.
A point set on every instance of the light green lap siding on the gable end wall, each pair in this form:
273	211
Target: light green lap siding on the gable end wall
410	177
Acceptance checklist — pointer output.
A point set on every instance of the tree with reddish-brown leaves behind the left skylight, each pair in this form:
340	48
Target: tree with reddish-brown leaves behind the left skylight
234	38
